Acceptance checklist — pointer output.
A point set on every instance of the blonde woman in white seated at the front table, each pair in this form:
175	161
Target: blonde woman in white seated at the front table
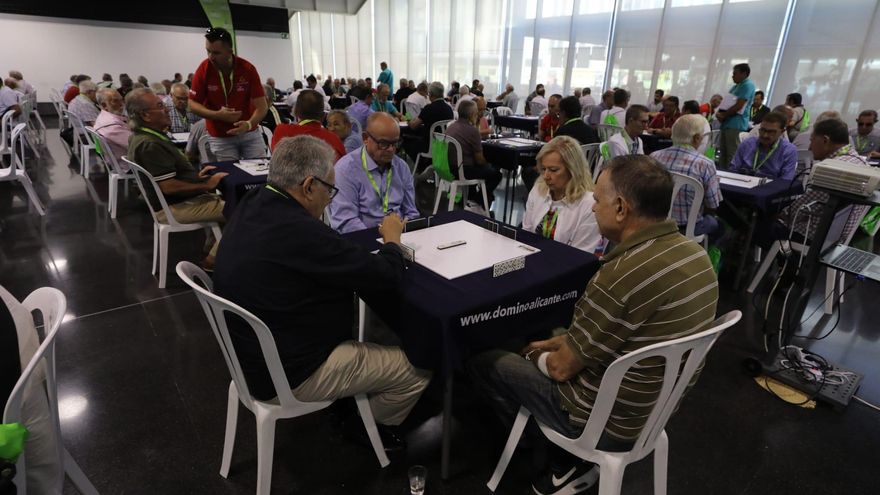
560	205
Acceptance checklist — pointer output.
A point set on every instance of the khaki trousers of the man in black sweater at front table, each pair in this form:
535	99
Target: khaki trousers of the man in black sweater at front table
384	373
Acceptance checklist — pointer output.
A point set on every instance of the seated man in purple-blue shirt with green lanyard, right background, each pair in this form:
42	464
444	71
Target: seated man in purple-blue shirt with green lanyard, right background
767	155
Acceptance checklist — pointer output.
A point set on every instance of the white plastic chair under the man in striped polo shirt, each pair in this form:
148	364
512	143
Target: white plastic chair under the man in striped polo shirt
685	354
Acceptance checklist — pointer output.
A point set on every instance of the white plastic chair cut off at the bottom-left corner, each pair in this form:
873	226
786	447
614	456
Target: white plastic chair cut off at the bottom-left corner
52	305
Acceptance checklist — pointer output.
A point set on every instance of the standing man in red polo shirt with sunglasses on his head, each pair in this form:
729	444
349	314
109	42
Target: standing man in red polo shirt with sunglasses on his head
226	91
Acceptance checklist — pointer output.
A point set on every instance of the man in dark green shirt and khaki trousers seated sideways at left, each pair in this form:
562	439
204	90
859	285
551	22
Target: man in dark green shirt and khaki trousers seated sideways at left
186	190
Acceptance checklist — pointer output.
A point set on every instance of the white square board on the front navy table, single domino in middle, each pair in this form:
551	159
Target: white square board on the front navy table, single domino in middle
482	248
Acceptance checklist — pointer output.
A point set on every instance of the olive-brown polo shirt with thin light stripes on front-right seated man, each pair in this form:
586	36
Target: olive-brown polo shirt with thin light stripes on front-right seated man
656	286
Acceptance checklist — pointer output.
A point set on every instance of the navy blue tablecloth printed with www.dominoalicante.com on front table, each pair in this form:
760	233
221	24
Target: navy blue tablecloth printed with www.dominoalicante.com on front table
441	322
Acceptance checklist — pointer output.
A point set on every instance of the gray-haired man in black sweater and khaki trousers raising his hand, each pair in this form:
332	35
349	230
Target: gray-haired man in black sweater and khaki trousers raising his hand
283	264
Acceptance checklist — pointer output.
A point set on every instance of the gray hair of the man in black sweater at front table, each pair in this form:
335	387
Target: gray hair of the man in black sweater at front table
297	158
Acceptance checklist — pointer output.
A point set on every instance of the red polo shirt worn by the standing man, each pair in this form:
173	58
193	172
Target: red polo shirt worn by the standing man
207	90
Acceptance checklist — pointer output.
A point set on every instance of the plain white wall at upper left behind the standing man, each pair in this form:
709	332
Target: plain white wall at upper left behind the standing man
48	50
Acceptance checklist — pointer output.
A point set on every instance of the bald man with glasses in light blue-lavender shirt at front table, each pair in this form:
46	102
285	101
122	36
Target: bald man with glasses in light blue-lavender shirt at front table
372	180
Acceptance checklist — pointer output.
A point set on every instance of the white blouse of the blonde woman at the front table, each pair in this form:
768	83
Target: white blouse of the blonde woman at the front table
576	224
